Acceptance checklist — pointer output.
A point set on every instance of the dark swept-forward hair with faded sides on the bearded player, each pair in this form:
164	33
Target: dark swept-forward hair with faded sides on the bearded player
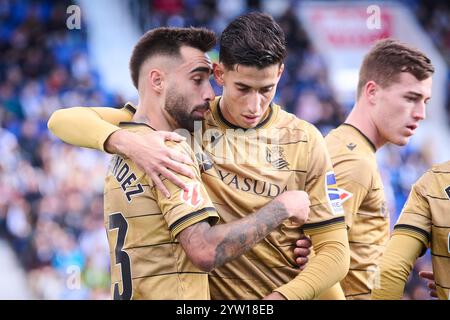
168	41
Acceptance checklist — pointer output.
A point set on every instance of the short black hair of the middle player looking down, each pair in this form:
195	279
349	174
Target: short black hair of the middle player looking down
254	39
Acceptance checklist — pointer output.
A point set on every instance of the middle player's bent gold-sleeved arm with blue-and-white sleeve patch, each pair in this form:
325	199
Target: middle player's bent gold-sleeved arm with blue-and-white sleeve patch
326	227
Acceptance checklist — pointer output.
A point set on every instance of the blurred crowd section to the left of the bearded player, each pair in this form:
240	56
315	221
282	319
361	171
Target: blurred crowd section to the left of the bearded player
50	193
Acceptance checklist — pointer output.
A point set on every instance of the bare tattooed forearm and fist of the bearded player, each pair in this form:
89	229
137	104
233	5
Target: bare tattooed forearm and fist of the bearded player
209	247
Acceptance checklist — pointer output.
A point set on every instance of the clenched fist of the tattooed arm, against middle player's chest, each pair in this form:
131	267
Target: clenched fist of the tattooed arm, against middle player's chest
296	204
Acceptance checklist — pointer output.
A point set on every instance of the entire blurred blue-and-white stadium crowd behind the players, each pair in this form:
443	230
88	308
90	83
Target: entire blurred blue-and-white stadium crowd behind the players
51	194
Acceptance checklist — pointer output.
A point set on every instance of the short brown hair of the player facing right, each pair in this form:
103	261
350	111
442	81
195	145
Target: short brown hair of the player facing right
387	59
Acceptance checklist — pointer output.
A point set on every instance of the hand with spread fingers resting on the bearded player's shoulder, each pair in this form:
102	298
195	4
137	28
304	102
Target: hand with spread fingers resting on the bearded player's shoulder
150	154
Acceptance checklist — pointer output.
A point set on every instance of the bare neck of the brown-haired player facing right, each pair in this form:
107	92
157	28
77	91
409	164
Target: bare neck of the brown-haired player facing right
360	118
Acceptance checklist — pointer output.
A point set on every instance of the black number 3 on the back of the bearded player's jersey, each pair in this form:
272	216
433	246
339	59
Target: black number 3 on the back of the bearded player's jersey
117	221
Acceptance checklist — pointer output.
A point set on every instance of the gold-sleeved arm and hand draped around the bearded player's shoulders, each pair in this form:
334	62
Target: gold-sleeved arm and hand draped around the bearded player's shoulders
97	128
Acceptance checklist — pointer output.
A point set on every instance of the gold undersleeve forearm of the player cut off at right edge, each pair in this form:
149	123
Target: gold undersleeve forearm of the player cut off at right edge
396	264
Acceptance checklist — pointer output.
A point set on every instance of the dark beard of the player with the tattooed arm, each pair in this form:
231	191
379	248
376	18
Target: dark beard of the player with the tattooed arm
178	108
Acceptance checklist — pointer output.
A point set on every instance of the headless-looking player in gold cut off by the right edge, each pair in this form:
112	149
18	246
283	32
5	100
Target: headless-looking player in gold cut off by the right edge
424	223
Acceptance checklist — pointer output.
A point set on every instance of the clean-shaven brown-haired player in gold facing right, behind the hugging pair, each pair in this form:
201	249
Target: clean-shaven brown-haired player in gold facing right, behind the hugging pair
393	90
